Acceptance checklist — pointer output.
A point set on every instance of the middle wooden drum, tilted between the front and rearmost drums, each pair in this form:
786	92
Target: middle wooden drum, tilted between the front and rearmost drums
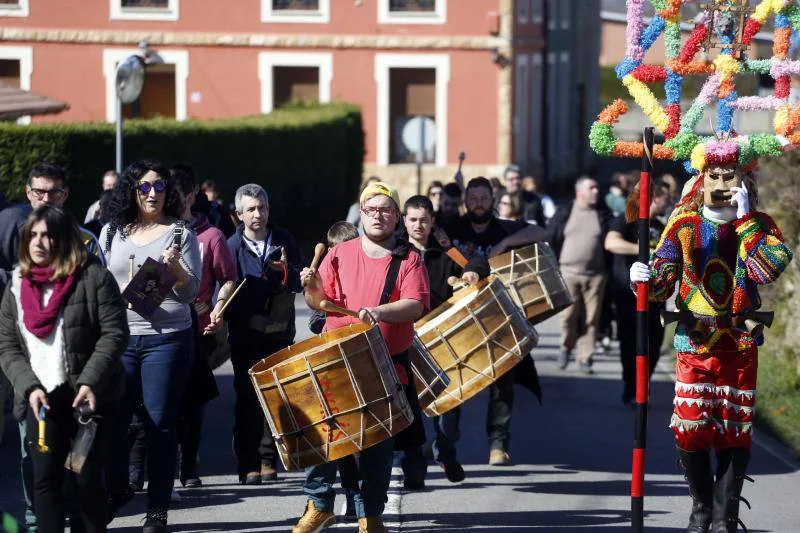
476	336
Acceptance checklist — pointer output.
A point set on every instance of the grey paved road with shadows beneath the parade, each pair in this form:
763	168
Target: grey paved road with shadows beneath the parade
571	469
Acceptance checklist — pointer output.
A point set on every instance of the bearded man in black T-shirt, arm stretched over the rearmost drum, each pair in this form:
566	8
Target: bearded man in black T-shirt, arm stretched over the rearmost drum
480	233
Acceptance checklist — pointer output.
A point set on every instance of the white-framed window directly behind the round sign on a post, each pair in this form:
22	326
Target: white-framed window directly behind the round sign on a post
410	85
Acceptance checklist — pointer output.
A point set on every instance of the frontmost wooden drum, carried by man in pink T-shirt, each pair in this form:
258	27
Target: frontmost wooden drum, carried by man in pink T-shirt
331	395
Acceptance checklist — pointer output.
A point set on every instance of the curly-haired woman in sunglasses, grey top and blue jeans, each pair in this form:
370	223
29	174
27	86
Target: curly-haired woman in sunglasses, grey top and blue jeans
146	224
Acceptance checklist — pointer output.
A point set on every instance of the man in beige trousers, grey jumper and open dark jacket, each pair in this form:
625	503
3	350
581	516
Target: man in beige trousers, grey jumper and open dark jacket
576	233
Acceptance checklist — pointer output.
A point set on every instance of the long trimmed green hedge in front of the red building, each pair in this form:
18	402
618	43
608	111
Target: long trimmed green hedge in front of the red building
308	158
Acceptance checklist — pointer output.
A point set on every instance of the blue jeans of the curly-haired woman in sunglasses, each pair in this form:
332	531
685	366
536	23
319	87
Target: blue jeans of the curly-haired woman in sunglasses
157	369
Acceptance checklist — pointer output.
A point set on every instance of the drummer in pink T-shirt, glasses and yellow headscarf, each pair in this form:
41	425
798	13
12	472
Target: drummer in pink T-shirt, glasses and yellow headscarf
353	275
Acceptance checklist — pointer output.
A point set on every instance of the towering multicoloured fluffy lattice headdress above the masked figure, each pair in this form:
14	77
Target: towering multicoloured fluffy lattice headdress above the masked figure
730	25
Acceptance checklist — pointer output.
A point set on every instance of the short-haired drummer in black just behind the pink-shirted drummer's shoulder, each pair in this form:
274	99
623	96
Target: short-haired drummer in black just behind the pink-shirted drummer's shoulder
418	219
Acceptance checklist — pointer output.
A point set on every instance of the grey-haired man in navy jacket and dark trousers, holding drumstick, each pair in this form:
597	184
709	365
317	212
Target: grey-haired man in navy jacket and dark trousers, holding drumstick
260	323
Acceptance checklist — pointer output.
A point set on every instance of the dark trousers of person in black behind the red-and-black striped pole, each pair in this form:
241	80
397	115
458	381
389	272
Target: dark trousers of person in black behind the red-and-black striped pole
625	302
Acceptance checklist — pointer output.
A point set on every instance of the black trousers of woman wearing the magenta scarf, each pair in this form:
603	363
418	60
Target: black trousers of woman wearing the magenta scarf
49	474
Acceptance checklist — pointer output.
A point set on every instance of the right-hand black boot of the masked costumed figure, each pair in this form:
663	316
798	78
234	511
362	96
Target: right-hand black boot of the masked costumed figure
731	466
